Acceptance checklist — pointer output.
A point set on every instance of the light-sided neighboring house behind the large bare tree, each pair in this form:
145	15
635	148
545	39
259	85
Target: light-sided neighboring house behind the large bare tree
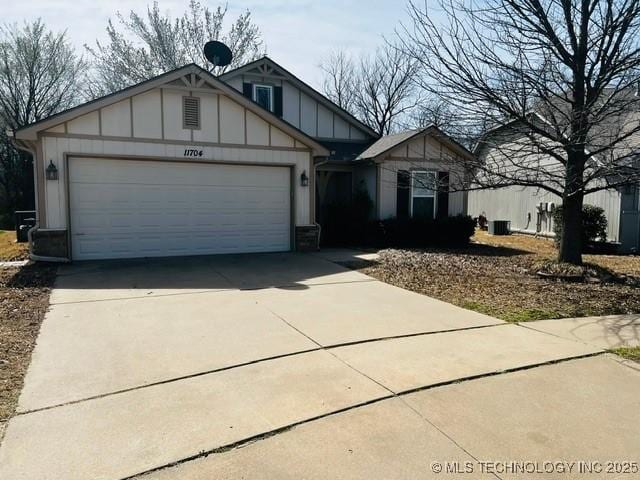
530	209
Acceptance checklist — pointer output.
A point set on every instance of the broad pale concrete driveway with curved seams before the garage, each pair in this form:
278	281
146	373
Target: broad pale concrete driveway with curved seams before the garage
167	367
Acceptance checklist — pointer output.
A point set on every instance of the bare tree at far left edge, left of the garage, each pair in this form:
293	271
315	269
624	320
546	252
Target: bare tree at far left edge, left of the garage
40	74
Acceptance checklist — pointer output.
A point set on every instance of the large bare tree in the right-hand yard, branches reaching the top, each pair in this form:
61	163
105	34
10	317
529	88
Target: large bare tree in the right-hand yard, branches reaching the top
563	73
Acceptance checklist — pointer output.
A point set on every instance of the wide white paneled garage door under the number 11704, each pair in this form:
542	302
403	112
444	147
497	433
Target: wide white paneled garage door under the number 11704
127	209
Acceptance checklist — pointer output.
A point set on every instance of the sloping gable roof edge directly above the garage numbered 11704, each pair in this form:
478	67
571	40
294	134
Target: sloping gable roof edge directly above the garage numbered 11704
30	132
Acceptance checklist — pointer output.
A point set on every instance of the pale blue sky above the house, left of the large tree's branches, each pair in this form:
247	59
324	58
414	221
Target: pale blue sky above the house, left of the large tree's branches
297	33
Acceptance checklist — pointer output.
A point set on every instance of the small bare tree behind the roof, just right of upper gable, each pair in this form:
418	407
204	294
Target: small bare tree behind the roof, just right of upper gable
339	81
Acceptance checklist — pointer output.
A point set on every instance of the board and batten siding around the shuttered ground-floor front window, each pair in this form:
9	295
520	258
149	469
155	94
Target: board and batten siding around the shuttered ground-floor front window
422	153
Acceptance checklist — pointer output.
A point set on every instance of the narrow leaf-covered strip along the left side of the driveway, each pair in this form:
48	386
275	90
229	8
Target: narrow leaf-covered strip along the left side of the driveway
24	299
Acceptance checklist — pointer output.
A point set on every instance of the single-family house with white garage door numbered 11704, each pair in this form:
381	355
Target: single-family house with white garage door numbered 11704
188	163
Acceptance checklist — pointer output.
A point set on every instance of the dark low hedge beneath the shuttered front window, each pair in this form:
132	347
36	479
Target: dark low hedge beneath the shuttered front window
415	233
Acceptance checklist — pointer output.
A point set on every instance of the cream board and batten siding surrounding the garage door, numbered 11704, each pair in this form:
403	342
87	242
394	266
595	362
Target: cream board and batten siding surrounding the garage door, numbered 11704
150	125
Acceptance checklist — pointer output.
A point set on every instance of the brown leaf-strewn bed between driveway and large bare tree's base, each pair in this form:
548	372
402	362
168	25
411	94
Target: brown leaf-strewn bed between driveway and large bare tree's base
502	282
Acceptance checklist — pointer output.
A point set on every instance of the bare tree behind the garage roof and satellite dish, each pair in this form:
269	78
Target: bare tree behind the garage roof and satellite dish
140	48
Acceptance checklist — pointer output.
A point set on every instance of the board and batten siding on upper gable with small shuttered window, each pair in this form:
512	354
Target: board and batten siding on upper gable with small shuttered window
305	112
